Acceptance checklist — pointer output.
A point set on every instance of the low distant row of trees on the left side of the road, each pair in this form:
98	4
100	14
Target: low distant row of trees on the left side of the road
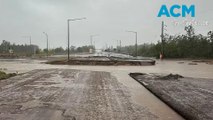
9	50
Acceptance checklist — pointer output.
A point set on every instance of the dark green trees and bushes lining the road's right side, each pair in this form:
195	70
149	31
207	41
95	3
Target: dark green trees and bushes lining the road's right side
189	45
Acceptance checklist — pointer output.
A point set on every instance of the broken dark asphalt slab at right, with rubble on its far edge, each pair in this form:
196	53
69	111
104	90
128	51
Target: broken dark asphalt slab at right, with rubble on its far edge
191	97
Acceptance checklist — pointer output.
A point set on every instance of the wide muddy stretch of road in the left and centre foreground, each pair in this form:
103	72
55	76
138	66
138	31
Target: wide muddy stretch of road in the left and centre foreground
60	94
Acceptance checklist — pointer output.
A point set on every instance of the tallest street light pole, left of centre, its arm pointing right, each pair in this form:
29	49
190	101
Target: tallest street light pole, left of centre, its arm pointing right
68	36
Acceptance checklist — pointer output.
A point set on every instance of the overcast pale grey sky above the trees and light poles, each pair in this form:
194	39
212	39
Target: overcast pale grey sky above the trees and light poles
108	18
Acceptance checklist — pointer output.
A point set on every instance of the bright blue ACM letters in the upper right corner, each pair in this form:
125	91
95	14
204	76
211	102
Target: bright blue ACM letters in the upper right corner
177	11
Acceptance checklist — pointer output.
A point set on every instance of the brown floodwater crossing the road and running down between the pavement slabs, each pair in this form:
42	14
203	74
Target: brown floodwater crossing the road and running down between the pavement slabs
139	95
